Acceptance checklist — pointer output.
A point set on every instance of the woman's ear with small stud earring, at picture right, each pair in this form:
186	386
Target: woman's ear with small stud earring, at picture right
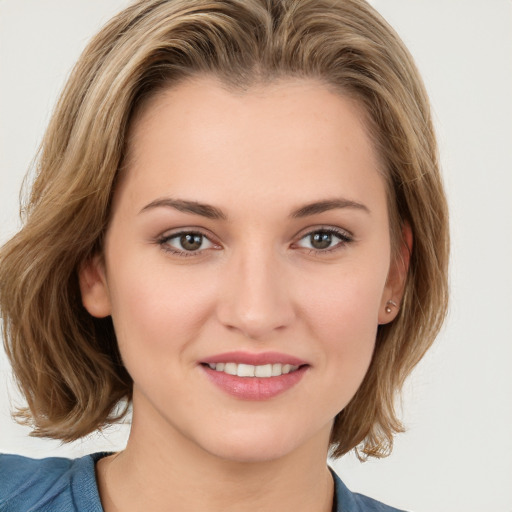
395	284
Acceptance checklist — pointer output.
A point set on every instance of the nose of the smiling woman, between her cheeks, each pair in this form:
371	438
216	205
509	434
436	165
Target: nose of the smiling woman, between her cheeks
255	297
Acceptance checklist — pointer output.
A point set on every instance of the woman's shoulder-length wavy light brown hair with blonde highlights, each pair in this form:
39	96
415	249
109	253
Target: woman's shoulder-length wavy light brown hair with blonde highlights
65	361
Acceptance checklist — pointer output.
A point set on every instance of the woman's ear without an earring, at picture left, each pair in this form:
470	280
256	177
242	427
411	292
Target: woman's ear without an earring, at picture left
93	287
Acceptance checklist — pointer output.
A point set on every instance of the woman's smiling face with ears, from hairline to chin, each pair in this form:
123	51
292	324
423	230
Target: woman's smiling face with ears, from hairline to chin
246	266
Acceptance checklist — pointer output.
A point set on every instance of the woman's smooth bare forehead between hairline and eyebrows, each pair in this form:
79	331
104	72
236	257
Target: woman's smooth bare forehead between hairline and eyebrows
293	131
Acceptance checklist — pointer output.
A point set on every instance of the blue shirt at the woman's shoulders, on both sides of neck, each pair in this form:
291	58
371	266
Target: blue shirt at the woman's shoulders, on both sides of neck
69	485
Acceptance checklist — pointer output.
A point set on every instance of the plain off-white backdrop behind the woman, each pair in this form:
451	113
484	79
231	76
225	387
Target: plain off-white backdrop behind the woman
457	406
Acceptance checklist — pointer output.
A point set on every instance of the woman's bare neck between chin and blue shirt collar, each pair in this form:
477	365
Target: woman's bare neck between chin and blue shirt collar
171	473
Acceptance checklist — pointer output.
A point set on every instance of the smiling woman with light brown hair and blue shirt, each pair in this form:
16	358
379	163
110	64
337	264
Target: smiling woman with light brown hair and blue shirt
238	227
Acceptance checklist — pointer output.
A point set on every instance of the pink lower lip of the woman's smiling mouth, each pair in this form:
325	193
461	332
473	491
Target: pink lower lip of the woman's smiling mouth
254	388
